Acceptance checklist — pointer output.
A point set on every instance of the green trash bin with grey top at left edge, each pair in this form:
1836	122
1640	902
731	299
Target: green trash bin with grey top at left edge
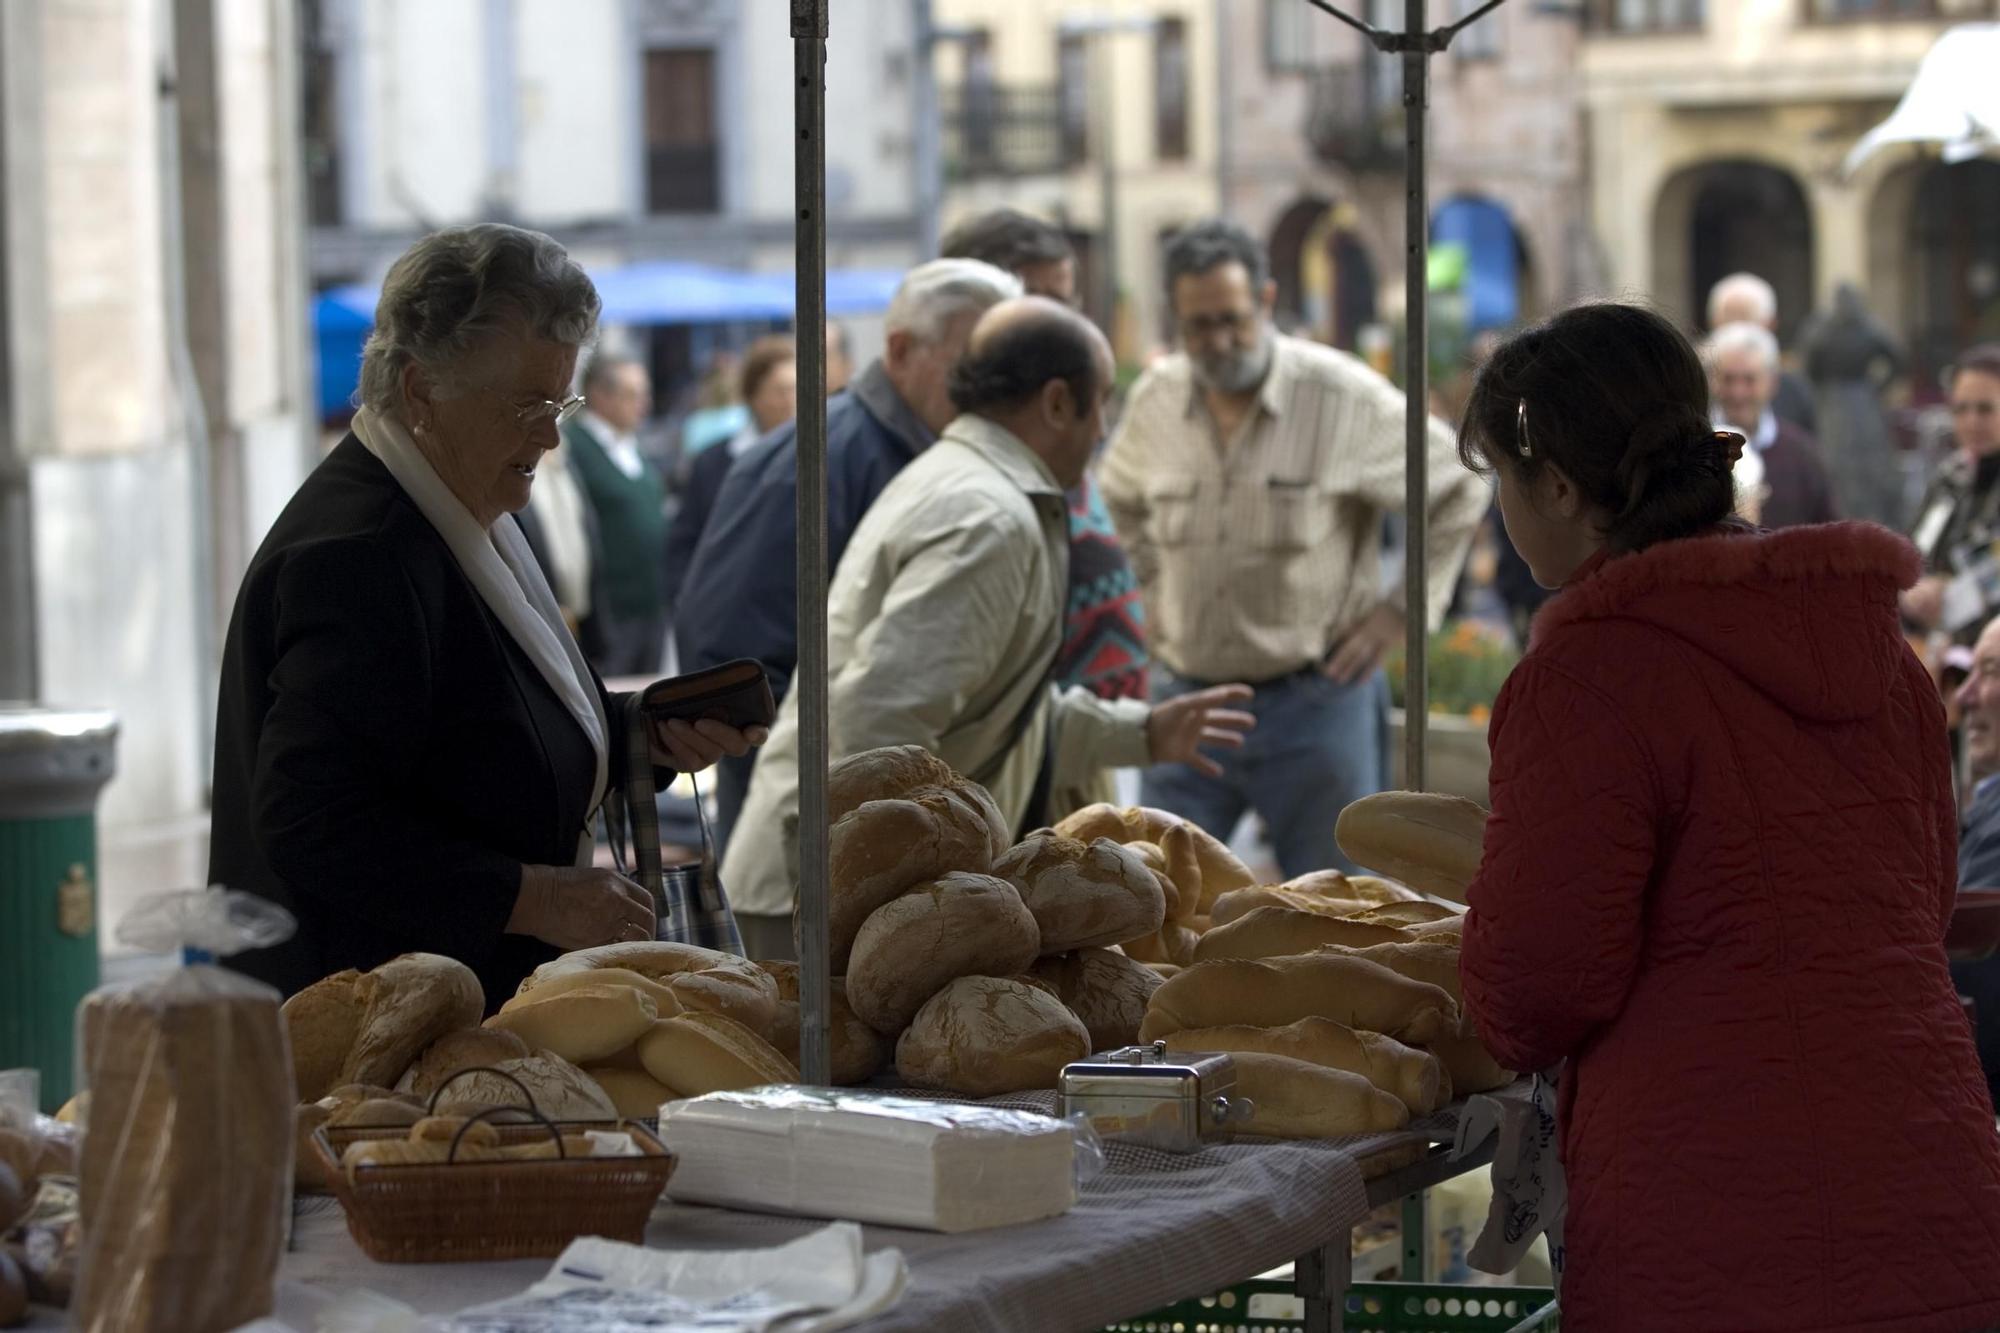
53	766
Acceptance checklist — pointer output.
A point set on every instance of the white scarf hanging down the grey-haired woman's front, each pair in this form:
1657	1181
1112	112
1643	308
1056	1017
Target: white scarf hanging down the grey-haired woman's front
503	571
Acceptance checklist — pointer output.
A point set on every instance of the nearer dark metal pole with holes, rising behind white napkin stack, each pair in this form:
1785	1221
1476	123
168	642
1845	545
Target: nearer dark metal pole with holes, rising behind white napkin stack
809	187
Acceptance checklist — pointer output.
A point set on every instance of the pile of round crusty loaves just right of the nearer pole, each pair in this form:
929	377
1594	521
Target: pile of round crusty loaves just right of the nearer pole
987	966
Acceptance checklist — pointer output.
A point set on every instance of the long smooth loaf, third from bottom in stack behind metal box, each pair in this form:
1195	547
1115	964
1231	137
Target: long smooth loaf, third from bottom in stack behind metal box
1277	992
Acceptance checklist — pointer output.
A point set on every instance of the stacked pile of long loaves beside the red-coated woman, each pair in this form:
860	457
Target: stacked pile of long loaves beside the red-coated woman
1339	996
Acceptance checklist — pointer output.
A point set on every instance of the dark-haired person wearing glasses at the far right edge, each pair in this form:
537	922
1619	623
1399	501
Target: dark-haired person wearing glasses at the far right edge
1961	511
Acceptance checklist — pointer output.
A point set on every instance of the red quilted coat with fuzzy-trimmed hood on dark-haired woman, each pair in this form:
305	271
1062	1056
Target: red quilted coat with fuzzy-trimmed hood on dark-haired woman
1717	882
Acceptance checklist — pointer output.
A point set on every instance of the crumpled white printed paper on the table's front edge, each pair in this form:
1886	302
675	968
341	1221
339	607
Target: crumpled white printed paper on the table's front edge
817	1284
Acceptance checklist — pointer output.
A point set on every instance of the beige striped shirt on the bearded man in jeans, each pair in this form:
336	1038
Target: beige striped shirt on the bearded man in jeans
1261	551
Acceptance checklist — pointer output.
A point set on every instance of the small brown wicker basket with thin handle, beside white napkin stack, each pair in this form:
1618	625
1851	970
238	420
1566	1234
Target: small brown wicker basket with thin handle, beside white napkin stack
497	1210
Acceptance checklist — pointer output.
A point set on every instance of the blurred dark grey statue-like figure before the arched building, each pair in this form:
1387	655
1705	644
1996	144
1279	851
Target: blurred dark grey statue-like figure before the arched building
1851	359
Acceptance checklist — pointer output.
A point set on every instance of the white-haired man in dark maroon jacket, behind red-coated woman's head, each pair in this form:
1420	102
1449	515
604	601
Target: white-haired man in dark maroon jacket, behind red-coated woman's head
1743	375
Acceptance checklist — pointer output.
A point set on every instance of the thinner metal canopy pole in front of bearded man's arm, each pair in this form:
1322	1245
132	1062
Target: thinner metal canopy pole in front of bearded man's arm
1417	411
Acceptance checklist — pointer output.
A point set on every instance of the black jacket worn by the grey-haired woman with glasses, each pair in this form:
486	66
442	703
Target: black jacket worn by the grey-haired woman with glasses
387	758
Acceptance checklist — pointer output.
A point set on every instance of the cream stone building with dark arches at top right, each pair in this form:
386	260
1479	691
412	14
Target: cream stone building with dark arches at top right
1717	139
